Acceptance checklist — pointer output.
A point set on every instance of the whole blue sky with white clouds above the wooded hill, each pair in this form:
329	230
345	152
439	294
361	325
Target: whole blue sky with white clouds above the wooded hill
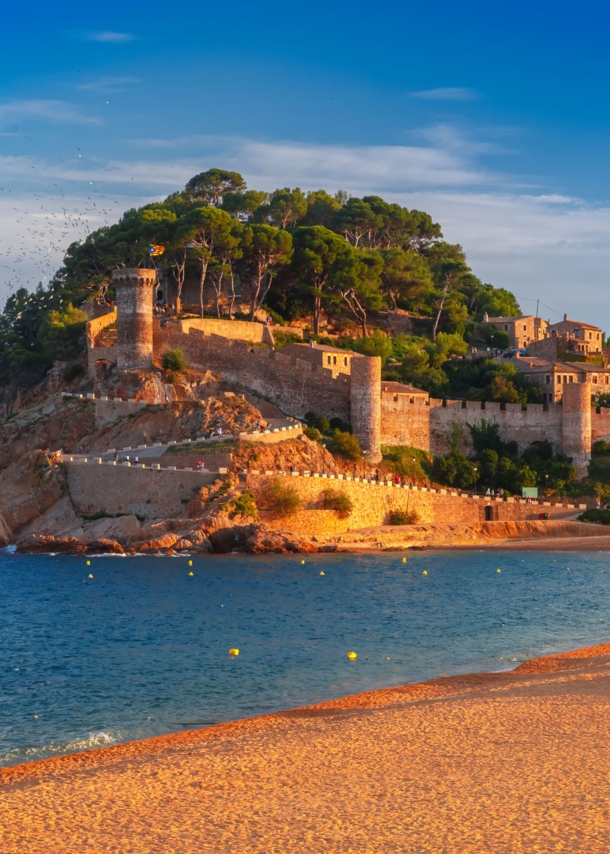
491	117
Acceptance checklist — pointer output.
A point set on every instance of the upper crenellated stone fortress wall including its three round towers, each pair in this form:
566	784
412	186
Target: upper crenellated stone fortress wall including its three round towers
298	386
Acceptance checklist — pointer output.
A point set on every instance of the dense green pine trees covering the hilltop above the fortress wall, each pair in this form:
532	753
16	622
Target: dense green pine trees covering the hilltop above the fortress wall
351	257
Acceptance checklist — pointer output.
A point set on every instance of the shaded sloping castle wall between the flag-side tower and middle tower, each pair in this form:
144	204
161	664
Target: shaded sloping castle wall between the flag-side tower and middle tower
295	386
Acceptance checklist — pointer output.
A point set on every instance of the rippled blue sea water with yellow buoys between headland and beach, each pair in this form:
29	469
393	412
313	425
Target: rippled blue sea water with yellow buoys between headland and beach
142	648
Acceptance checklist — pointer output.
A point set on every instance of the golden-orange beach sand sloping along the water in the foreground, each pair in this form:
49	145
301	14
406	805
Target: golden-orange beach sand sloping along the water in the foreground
508	762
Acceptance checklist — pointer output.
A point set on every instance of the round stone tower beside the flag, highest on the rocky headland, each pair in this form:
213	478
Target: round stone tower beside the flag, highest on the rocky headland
135	289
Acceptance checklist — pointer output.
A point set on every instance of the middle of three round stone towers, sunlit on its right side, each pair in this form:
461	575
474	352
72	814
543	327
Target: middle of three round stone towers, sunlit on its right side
365	404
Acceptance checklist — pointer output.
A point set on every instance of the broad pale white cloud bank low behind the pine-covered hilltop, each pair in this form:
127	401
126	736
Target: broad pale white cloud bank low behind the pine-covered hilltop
539	245
